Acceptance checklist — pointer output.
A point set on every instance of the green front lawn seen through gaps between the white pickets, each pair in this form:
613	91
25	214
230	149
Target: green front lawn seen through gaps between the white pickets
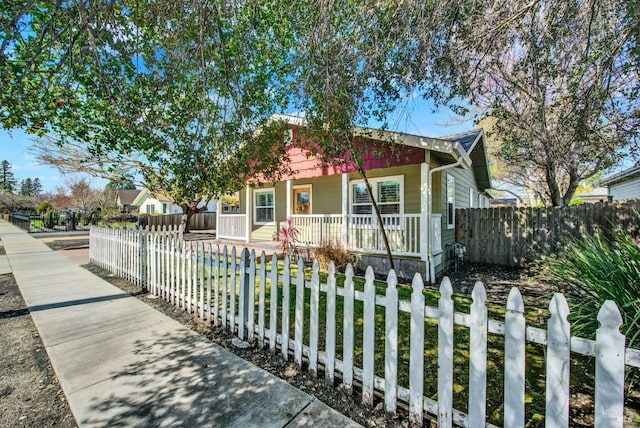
535	316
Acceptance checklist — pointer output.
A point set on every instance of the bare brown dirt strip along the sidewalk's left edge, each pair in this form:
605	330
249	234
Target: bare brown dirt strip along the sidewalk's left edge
30	395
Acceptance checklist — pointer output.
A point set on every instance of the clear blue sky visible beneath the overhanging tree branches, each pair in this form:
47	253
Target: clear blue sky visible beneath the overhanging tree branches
416	118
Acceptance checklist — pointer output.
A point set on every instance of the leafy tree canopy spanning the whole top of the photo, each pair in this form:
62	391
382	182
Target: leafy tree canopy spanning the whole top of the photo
181	88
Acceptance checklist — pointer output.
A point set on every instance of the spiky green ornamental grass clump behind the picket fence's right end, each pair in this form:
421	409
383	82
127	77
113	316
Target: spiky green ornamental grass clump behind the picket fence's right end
595	269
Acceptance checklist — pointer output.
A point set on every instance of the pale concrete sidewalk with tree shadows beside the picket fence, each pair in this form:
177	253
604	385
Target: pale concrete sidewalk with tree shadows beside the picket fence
122	363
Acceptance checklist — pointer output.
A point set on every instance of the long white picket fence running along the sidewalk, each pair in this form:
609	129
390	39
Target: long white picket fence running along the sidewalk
231	291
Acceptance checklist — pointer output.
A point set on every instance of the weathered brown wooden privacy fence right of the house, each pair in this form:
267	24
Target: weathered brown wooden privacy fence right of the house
510	236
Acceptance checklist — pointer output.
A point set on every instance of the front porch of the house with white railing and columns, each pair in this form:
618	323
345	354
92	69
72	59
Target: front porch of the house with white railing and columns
408	233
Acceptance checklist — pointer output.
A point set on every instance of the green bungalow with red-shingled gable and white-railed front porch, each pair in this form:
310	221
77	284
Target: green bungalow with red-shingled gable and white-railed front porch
417	191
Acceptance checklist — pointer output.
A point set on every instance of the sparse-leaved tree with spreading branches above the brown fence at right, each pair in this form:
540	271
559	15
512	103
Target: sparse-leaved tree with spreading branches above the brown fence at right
560	79
